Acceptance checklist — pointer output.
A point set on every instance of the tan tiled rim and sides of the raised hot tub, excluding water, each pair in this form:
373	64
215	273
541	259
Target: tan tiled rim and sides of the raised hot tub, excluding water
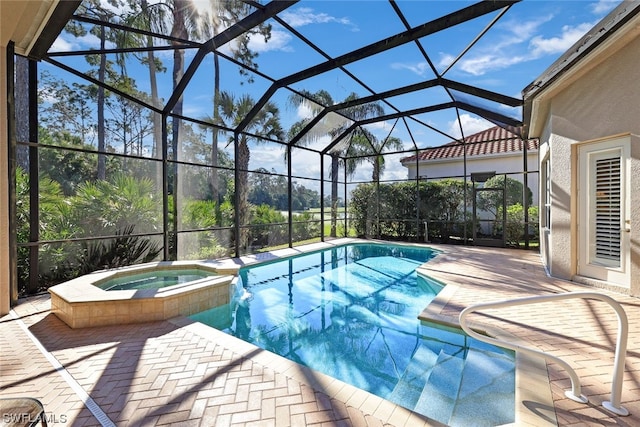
80	304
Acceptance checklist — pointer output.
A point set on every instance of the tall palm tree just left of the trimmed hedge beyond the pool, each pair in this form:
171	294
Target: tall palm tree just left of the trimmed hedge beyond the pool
318	101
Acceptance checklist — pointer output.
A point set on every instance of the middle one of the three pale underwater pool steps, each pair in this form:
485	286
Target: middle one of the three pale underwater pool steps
440	392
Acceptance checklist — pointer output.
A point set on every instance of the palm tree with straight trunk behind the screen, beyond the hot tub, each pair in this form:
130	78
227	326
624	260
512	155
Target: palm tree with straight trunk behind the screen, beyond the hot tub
265	124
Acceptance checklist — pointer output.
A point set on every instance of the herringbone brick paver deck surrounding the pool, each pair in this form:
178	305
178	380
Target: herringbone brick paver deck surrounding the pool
177	372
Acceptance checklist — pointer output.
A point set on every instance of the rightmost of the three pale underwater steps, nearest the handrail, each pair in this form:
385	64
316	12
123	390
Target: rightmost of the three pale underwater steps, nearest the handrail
486	373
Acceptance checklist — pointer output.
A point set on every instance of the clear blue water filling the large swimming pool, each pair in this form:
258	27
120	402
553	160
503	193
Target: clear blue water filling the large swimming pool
351	313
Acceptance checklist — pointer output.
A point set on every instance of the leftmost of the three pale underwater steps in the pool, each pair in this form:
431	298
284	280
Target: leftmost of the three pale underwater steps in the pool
409	387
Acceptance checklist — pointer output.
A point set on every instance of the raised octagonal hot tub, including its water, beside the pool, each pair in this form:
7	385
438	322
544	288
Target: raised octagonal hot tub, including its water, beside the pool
141	293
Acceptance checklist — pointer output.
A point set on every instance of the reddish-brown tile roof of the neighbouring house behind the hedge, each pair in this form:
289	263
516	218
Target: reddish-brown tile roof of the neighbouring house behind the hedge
495	140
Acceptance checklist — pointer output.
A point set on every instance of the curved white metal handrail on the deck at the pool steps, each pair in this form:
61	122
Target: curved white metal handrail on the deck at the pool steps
575	392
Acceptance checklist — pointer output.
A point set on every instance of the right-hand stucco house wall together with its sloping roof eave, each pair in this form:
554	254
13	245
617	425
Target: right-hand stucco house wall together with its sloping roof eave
597	100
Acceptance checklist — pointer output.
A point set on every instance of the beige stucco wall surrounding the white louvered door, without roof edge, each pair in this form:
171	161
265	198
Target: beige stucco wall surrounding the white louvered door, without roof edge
602	103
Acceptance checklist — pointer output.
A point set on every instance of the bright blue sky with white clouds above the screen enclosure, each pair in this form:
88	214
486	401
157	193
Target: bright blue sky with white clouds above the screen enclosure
526	40
